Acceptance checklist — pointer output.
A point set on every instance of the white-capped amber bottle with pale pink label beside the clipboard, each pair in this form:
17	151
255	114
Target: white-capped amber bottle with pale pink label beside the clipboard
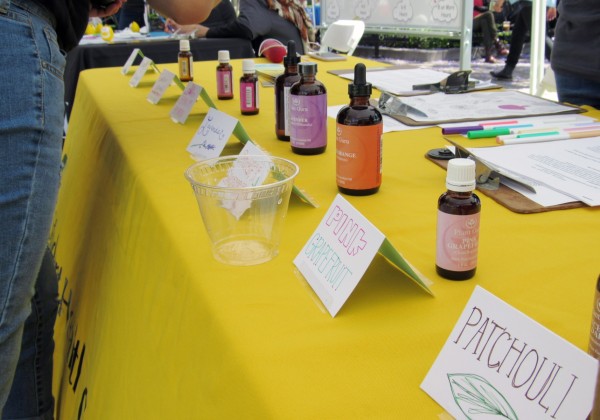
458	223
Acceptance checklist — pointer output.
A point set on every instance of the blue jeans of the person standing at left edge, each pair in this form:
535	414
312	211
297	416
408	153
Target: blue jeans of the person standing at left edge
31	123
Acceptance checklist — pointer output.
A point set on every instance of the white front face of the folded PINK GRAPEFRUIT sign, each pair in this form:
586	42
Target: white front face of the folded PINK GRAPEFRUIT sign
338	253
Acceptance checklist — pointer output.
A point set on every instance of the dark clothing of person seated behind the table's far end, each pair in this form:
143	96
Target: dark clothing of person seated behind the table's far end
257	22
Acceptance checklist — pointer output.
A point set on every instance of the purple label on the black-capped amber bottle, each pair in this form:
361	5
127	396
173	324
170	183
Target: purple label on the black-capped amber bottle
308	121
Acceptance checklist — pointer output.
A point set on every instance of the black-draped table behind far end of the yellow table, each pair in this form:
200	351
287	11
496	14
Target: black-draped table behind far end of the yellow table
89	56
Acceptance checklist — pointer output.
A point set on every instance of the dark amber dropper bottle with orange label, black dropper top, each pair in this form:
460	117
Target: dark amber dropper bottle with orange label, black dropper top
358	143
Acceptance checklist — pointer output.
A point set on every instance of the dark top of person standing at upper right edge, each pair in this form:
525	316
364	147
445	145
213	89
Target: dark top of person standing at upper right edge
577	39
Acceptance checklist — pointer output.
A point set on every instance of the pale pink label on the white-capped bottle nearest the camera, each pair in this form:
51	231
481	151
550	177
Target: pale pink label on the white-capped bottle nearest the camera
457	241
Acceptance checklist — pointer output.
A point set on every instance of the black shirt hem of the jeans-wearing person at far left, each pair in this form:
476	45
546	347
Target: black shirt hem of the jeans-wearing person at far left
71	20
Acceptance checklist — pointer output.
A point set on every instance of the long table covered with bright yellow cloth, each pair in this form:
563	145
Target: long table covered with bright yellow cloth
152	327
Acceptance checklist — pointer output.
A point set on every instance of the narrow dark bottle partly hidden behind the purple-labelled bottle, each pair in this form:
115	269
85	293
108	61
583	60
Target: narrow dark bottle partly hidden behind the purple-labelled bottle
283	84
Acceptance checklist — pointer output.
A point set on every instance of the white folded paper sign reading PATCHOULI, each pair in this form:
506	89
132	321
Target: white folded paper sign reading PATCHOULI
498	363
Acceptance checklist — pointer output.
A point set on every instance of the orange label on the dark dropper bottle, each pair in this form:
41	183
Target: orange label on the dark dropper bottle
358	156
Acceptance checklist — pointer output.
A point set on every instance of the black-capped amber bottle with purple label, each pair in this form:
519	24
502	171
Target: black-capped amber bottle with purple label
308	112
